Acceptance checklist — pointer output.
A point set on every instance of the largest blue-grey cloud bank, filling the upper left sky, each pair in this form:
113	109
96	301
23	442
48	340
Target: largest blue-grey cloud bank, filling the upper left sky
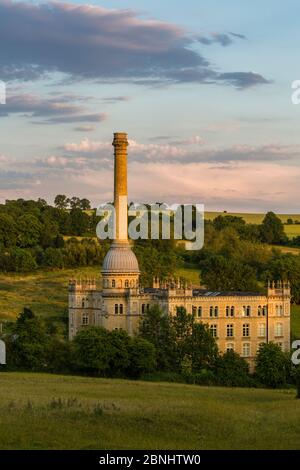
91	42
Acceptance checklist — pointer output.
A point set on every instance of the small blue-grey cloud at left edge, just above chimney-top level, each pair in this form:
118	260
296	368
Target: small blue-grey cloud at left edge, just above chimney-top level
53	110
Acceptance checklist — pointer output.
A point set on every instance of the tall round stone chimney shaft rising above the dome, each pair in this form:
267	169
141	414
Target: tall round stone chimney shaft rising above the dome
120	144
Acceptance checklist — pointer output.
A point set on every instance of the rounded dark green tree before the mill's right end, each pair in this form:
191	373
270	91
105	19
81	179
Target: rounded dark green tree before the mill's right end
270	367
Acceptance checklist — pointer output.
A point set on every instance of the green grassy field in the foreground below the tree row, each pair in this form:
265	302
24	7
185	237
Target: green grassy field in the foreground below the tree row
39	411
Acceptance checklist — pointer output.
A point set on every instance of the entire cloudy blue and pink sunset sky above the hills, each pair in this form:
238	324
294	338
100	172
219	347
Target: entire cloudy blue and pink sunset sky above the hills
202	87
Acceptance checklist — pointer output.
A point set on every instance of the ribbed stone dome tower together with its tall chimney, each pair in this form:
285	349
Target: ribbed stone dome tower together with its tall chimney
120	270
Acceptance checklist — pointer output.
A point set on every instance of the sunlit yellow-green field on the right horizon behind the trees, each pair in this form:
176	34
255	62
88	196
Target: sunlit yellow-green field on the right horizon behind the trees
291	230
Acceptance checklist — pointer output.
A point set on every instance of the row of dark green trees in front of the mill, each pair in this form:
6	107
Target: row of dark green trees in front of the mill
173	348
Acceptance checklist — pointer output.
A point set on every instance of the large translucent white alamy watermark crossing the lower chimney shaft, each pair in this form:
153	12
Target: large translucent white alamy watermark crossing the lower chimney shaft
153	221
